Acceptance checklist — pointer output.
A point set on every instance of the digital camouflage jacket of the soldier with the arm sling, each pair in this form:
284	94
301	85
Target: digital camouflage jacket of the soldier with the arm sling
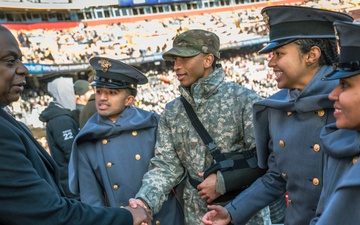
225	109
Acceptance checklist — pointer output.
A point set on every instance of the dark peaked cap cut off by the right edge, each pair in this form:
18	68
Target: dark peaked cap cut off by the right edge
349	43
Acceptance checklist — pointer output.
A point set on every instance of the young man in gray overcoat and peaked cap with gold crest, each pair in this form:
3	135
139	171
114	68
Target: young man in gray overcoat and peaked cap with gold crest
112	151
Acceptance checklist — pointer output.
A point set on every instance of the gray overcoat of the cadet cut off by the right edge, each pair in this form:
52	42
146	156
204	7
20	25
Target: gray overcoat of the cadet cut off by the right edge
340	197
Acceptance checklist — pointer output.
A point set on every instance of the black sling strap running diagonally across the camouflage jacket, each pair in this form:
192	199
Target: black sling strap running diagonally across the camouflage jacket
199	127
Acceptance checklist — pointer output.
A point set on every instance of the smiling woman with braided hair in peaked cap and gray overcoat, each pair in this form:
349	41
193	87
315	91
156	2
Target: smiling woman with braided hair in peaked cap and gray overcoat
288	124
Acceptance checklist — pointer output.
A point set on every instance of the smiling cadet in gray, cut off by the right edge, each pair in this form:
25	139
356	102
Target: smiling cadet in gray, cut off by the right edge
340	198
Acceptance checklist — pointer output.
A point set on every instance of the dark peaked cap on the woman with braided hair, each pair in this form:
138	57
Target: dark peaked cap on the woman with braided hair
289	23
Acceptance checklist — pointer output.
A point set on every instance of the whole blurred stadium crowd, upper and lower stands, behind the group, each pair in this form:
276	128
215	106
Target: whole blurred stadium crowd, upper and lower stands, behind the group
132	40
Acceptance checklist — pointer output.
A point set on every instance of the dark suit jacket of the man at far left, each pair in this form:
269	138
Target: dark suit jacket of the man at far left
30	190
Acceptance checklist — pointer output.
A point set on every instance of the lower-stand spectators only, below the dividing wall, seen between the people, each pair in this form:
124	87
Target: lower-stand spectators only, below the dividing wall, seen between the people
248	70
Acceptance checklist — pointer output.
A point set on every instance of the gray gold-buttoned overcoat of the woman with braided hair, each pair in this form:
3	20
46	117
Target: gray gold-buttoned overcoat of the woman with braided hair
287	133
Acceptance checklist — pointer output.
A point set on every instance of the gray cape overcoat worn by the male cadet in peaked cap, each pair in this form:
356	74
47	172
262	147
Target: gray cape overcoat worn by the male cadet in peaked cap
109	159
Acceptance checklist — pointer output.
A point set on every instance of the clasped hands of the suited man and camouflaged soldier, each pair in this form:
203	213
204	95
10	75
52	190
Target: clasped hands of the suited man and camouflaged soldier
140	212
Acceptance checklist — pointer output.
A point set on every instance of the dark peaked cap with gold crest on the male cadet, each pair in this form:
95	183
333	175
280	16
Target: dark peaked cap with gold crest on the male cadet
111	73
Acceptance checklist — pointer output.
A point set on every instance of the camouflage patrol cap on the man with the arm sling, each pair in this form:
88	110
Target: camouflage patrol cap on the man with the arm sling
193	42
